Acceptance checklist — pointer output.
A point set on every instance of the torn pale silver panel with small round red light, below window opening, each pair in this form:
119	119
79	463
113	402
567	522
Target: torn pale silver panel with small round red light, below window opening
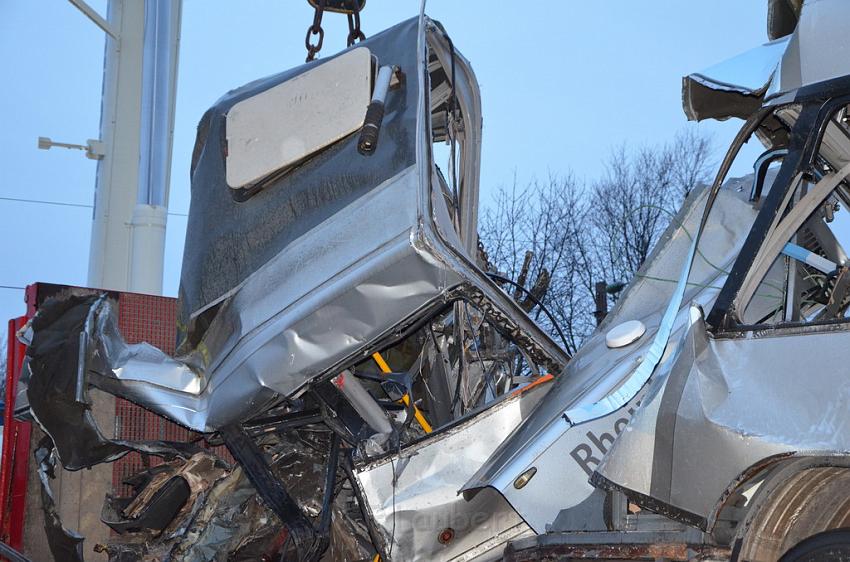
422	501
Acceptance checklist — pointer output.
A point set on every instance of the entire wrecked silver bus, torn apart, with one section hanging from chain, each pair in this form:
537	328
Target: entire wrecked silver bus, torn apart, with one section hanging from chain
384	396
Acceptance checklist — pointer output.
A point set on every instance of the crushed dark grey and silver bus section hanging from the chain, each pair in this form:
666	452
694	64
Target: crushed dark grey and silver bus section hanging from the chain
276	292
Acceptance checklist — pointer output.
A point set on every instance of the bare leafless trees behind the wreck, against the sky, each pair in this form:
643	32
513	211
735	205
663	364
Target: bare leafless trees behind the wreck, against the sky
575	235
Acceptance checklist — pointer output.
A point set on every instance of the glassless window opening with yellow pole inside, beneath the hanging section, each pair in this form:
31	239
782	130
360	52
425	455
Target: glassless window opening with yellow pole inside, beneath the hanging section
448	382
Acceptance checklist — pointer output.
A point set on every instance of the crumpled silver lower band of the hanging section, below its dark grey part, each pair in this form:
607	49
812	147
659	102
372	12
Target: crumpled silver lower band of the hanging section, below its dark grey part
299	339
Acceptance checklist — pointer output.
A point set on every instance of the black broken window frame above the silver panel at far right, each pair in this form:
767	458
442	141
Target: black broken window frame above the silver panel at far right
819	105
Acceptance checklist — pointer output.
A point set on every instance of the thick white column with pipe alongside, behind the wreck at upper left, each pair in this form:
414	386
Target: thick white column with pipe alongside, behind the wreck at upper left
137	121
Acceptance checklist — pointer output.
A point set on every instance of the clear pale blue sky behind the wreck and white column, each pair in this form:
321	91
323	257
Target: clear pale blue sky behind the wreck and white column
562	83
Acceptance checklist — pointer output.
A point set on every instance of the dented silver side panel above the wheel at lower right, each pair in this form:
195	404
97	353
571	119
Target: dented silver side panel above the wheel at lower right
725	407
